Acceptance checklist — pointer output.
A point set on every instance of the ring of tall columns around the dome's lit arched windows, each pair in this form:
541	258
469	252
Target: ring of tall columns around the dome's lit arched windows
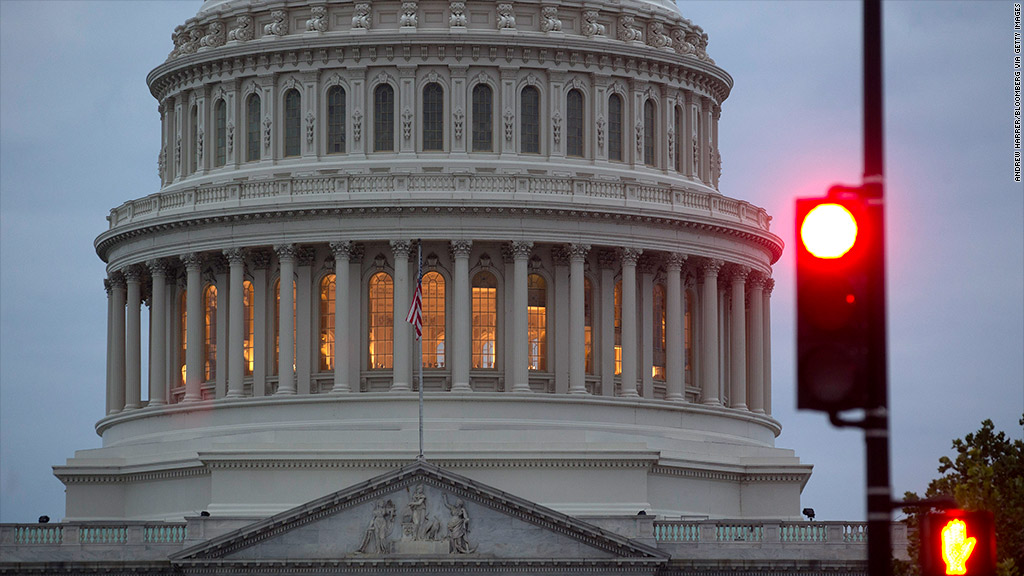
713	328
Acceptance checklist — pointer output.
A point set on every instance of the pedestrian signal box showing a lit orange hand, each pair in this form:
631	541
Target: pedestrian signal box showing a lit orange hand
958	544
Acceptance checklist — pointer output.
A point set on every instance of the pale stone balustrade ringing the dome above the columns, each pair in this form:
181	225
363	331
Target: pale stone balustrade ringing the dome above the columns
362	191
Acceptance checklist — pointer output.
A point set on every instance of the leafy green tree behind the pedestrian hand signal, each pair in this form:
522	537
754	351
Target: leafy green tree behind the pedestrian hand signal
987	474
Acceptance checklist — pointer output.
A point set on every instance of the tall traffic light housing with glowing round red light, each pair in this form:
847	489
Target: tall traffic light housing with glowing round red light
840	301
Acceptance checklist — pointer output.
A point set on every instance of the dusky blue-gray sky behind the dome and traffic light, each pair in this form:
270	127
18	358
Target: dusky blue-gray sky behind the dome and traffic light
79	135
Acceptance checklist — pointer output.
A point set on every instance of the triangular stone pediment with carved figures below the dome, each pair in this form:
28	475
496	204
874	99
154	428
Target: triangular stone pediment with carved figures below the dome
419	517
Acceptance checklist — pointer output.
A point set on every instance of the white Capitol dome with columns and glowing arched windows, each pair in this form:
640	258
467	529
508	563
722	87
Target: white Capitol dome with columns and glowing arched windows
595	312
